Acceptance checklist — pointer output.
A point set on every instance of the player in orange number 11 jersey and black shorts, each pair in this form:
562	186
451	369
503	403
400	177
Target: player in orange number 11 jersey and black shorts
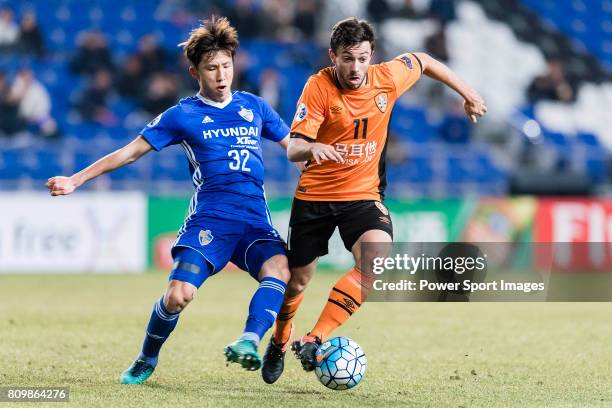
340	129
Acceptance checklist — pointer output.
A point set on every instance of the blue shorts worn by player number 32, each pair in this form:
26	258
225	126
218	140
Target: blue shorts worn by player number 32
217	241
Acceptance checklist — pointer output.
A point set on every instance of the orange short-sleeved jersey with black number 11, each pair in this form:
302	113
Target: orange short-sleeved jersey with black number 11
356	123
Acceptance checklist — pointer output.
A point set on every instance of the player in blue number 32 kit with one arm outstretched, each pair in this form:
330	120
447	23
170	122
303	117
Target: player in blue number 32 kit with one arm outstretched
228	218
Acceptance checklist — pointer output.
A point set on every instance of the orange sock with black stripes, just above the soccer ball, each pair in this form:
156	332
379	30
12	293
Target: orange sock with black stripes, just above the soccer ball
344	299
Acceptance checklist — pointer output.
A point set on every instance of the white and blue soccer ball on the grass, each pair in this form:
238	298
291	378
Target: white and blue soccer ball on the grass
340	363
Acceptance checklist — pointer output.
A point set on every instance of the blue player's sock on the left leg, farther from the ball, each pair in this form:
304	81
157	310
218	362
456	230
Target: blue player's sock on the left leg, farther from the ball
160	326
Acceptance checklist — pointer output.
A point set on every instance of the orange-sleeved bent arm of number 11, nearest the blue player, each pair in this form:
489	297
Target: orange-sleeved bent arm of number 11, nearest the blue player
308	118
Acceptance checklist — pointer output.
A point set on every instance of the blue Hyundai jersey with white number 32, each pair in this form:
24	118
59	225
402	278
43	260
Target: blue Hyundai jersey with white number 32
223	146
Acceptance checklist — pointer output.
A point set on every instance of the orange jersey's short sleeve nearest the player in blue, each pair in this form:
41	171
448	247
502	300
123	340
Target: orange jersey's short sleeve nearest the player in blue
310	110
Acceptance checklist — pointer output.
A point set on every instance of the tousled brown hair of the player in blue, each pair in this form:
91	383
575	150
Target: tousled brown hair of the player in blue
212	35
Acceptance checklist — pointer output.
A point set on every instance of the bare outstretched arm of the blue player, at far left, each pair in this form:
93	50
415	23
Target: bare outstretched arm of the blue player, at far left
61	185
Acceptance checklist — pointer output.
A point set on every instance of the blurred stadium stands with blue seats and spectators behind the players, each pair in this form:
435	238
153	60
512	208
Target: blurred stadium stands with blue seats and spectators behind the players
80	78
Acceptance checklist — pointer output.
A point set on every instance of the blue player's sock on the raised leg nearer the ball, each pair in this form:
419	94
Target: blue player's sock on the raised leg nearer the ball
264	307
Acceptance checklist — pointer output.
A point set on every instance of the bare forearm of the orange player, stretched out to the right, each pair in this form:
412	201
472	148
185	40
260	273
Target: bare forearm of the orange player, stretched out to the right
473	103
